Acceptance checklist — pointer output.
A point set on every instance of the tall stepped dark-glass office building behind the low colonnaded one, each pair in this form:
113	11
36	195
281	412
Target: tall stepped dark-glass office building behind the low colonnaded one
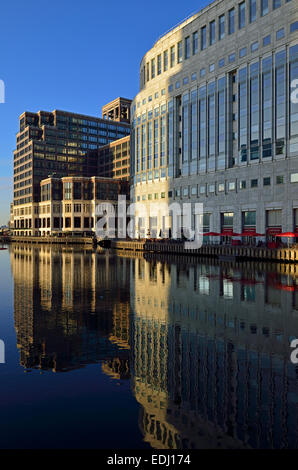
58	144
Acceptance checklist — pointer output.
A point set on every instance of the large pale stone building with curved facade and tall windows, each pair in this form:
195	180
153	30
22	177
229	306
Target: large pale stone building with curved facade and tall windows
216	118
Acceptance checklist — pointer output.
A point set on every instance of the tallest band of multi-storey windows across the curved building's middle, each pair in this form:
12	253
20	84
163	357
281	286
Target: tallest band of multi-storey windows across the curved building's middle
263	122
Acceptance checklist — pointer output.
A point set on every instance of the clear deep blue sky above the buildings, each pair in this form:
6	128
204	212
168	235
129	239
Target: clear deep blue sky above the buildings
73	55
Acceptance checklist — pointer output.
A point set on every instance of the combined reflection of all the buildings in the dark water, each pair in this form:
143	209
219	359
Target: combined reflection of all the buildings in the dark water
205	345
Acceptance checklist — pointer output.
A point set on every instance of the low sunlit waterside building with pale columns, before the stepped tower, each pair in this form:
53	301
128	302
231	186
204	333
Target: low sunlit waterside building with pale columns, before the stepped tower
69	205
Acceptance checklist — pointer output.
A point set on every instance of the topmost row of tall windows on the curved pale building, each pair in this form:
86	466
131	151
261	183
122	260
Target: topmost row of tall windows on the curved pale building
192	44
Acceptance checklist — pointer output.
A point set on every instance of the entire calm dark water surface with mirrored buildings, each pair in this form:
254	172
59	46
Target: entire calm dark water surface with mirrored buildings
107	351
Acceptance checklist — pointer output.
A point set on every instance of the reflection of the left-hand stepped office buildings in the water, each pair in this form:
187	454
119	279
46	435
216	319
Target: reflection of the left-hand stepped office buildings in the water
66	313
